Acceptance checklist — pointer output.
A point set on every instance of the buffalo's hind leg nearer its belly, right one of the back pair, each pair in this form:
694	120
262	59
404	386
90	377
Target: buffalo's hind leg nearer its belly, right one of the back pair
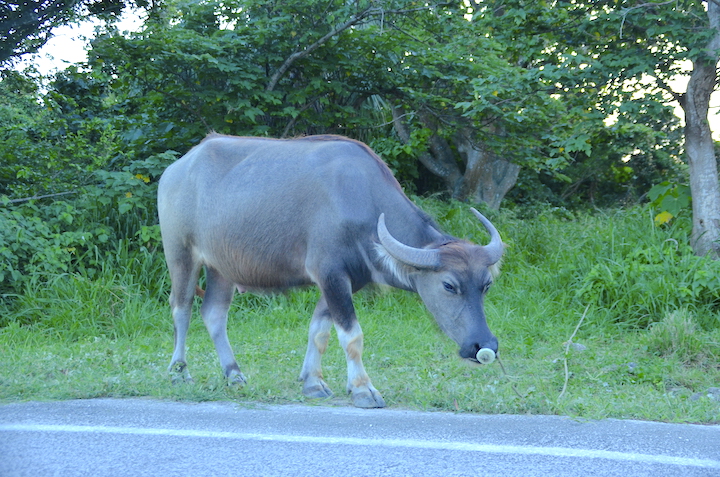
214	310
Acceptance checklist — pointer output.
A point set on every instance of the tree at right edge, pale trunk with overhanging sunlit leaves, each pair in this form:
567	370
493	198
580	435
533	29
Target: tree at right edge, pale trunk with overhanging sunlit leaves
624	56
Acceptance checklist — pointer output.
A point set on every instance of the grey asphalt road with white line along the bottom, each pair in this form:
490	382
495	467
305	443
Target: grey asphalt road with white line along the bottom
141	437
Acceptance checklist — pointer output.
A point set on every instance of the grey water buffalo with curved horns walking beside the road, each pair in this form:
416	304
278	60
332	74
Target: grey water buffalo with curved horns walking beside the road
267	214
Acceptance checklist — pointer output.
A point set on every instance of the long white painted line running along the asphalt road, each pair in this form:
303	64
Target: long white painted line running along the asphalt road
356	441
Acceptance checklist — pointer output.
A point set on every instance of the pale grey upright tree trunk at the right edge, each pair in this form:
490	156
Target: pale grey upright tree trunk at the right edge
700	148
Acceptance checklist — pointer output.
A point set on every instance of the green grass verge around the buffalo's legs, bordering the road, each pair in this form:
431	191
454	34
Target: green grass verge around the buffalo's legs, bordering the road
645	356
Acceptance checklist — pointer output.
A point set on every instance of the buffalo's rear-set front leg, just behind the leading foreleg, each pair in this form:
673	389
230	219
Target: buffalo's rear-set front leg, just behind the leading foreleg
311	375
